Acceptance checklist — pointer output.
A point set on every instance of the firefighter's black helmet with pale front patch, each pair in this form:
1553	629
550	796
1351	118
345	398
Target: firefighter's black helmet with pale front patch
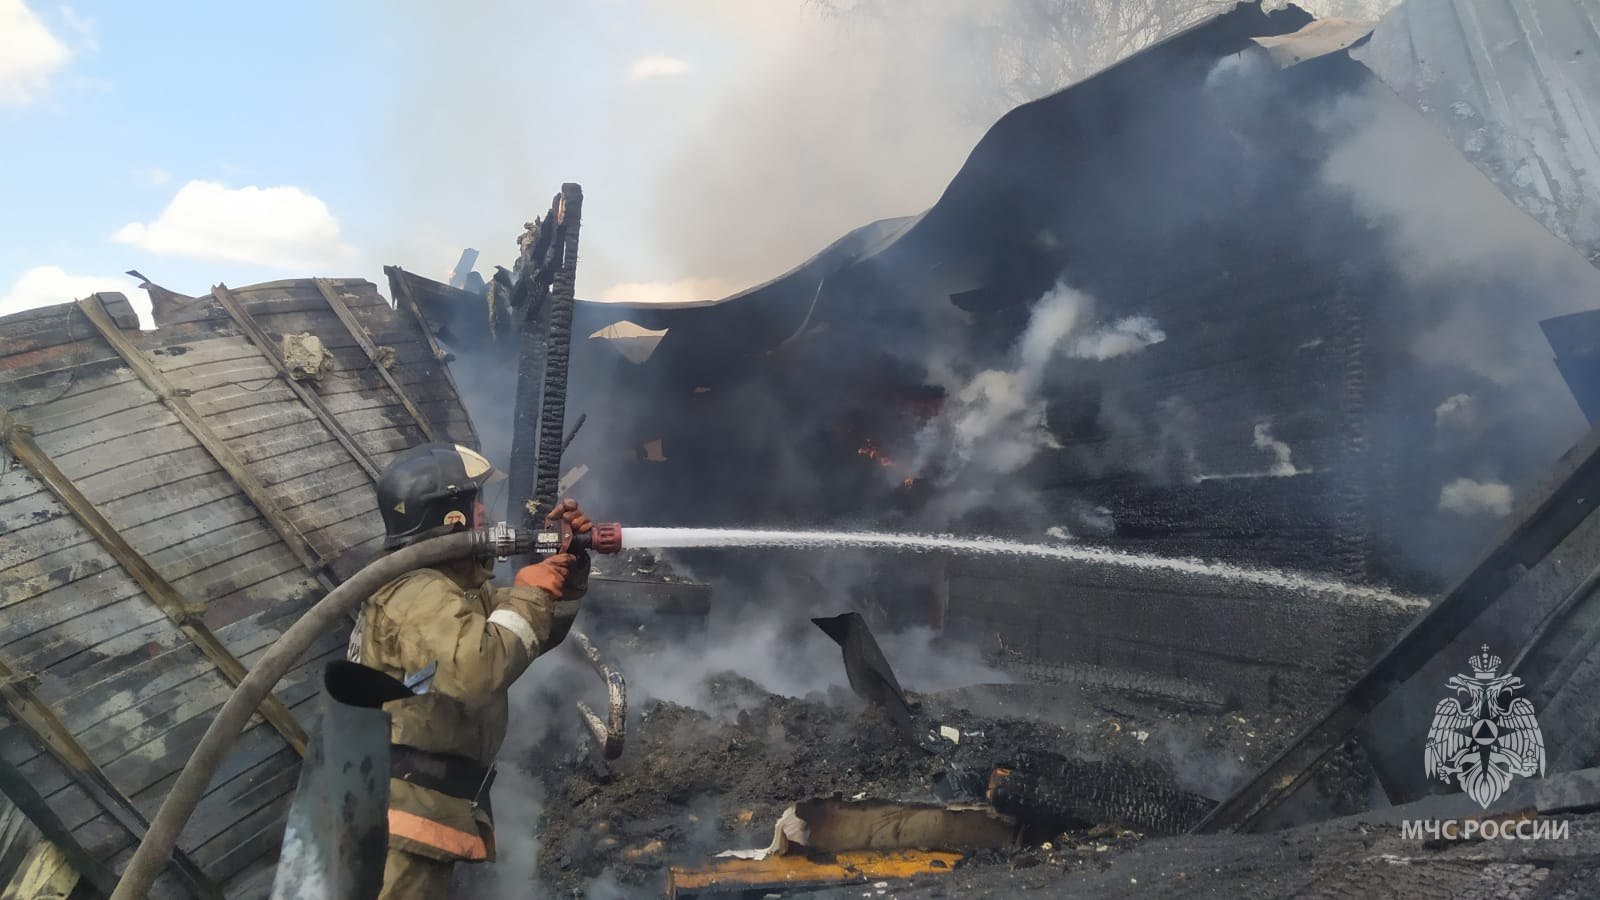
431	489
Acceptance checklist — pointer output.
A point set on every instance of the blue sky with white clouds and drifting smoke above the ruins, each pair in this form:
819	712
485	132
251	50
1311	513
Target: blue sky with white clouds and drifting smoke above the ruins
209	143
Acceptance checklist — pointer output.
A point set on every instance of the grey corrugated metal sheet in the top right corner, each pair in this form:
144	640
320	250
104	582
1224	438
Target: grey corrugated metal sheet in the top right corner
1516	84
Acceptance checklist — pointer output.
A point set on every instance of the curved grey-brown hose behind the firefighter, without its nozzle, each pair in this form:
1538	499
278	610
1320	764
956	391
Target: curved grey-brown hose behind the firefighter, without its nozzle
156	850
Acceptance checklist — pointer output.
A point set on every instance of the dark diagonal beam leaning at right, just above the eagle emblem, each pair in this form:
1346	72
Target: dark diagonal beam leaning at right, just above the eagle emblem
1542	528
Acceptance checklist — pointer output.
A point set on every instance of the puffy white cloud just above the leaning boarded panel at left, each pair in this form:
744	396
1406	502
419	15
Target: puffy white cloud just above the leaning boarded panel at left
282	228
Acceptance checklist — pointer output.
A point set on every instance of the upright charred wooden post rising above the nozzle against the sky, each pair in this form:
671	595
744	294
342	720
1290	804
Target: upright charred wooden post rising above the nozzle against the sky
558	353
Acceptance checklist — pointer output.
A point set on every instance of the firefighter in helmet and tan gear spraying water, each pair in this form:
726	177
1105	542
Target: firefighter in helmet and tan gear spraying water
452	630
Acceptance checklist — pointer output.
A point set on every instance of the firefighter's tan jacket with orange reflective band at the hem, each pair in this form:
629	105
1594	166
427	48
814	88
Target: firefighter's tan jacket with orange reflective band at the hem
482	638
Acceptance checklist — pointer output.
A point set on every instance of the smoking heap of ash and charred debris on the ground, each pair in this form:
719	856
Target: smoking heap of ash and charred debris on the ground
847	777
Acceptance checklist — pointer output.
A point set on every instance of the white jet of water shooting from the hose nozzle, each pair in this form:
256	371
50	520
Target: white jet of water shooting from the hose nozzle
681	539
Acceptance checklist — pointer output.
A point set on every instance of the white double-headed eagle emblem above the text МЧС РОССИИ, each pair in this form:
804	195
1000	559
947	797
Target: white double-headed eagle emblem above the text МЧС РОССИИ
1484	736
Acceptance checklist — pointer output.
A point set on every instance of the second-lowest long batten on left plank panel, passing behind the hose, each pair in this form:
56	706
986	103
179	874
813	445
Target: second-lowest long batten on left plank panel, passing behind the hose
185	613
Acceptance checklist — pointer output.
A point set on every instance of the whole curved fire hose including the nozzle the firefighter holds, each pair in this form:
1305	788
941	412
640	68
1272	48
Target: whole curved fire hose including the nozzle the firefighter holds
500	542
